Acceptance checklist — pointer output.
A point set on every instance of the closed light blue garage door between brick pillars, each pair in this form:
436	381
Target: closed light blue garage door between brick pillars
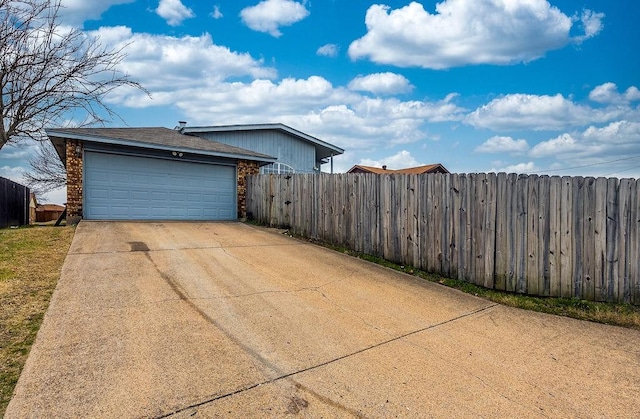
118	187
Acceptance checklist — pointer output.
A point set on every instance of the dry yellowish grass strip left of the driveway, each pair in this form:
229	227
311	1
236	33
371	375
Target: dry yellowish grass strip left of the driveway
30	264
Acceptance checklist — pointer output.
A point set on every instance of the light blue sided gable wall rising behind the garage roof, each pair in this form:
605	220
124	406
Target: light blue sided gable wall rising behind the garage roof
289	150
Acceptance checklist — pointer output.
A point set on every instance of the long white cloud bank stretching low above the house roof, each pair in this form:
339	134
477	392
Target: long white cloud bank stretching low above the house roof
209	84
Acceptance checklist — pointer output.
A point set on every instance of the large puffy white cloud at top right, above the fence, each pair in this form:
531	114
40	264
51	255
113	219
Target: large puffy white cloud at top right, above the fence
467	32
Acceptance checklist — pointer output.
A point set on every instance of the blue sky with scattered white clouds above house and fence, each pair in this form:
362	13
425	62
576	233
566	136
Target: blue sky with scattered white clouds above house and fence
527	86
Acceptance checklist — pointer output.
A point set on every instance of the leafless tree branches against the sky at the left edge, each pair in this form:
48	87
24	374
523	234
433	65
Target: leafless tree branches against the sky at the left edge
48	74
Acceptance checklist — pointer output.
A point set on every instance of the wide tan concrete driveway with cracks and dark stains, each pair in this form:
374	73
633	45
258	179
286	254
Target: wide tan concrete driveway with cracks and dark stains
229	320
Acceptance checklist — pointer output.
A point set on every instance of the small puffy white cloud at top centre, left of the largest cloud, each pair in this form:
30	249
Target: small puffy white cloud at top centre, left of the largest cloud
269	15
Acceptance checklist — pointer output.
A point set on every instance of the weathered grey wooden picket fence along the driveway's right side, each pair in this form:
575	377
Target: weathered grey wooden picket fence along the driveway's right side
538	235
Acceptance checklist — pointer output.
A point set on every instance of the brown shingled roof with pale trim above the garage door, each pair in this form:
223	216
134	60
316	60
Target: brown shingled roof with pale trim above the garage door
152	138
